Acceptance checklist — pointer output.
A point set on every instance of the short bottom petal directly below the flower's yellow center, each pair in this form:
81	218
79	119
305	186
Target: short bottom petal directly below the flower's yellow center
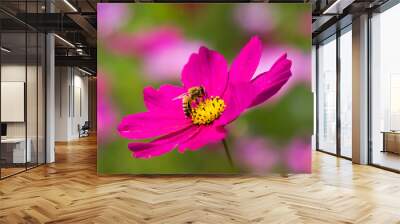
207	135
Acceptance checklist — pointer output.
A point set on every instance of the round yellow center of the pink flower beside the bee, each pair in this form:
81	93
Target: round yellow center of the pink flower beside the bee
208	110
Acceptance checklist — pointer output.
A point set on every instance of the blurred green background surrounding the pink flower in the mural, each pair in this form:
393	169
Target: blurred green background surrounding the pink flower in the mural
222	27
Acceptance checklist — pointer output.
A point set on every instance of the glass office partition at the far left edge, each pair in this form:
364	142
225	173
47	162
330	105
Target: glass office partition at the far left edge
22	101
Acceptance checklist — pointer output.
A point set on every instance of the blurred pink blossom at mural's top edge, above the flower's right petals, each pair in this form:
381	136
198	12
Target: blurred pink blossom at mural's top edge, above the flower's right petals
254	17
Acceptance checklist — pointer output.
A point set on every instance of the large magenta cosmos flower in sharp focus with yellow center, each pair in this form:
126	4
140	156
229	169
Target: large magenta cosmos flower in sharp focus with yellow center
226	95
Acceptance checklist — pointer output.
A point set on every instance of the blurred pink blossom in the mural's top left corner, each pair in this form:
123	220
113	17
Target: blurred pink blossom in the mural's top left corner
110	17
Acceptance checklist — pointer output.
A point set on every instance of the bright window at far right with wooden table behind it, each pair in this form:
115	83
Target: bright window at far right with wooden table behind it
385	89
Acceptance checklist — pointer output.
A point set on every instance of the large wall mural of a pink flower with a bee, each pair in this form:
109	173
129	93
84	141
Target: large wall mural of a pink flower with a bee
204	88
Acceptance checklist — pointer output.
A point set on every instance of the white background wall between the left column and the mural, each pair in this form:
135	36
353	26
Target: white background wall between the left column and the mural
71	94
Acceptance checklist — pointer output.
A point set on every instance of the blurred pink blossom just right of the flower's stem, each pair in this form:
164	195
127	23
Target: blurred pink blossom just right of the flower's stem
255	154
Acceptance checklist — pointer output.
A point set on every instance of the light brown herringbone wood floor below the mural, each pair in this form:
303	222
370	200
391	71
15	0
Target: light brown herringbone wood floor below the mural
70	191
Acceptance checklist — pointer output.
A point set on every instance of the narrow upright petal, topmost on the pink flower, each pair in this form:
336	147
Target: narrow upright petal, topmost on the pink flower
246	62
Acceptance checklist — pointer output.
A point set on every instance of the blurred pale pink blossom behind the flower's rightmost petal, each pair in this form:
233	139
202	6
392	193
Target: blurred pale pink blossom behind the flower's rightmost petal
301	67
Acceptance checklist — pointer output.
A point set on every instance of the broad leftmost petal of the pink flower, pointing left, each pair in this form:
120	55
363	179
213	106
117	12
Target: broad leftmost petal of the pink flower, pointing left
152	124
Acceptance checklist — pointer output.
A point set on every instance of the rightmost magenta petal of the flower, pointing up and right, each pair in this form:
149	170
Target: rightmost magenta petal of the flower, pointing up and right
268	83
